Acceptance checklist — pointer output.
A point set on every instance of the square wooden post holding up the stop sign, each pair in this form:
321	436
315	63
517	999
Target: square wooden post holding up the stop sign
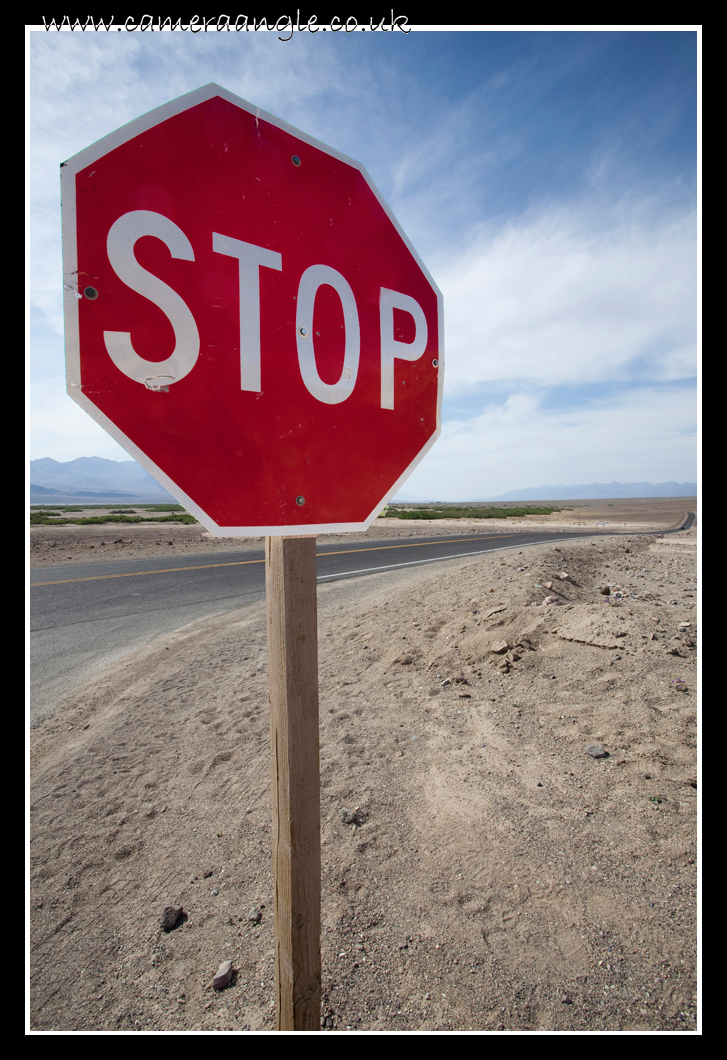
293	681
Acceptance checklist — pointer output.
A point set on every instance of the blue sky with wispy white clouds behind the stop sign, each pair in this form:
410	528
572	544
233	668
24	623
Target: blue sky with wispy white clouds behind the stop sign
548	181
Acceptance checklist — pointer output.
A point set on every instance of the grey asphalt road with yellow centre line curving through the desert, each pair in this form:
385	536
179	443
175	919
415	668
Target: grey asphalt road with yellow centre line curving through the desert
83	617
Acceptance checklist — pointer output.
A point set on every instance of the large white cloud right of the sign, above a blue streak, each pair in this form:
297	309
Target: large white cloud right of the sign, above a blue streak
568	298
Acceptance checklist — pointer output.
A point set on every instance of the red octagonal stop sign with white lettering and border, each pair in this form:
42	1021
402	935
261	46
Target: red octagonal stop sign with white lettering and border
246	317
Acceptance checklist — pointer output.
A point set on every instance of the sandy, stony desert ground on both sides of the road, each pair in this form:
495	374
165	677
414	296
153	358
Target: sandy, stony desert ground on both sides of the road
493	877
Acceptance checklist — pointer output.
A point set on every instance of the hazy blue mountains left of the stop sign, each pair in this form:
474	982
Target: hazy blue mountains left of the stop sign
94	481
